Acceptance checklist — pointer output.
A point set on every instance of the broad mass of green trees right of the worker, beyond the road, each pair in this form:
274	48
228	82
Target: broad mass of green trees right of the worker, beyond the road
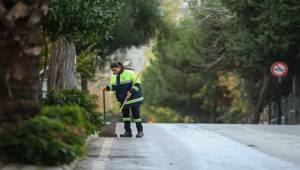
219	42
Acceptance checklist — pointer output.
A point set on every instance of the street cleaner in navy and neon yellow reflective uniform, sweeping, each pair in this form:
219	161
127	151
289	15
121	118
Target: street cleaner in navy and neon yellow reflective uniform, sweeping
125	83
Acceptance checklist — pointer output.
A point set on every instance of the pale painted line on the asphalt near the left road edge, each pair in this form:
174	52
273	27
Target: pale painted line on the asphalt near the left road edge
105	151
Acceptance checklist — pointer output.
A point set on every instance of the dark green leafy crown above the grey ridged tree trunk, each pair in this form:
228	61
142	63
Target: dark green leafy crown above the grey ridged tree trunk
86	23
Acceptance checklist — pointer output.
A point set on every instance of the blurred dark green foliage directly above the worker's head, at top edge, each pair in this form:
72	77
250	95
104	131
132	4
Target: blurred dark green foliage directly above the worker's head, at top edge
138	22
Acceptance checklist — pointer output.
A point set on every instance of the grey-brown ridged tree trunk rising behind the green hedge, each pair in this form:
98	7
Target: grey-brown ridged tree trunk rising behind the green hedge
62	68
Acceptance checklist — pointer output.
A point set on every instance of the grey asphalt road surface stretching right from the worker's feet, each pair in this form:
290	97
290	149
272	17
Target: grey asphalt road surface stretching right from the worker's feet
198	147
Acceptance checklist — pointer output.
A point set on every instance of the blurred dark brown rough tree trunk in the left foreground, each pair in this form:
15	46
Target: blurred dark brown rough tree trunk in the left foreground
20	47
